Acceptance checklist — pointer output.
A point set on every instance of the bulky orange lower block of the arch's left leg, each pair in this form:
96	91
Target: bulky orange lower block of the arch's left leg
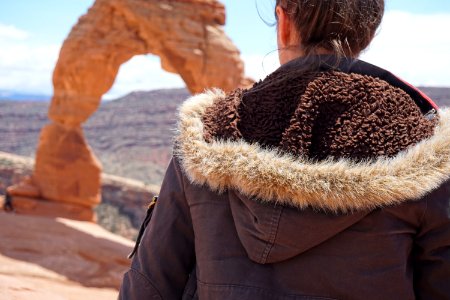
66	169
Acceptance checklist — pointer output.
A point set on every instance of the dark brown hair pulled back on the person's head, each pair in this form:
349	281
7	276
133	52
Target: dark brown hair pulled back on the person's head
344	27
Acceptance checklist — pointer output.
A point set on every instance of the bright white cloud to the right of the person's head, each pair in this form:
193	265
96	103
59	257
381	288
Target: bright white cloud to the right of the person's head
414	47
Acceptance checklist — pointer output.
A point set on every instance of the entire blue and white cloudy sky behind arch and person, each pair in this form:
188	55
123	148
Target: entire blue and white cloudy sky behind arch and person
31	33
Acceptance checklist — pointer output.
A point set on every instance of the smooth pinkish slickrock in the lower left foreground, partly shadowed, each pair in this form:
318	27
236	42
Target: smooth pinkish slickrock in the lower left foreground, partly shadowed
43	258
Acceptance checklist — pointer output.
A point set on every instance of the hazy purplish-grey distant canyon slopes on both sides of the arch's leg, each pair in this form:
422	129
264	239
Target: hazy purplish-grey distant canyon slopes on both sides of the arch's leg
132	135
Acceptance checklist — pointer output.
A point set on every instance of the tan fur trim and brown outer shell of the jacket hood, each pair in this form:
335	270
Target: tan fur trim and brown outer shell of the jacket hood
343	190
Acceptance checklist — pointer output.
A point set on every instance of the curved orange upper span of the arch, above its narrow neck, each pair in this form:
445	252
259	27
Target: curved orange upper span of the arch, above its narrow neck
186	35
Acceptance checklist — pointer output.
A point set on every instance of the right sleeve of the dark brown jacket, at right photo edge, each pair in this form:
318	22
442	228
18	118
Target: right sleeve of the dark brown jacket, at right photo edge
432	248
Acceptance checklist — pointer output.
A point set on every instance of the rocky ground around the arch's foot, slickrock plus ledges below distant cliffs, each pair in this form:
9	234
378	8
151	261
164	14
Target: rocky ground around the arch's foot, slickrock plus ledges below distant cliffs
52	259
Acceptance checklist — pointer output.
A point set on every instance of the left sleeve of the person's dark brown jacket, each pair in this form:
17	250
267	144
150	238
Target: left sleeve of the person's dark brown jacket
165	257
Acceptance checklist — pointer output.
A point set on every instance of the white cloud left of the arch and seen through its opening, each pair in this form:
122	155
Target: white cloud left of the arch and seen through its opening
27	68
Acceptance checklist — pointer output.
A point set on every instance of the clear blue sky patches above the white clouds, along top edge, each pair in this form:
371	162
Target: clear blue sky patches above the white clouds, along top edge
50	21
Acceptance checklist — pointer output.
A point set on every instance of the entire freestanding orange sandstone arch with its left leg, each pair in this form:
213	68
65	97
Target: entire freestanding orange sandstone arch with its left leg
188	37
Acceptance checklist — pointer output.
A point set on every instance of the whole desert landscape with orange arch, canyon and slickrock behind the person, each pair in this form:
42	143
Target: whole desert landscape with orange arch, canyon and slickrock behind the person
75	154
